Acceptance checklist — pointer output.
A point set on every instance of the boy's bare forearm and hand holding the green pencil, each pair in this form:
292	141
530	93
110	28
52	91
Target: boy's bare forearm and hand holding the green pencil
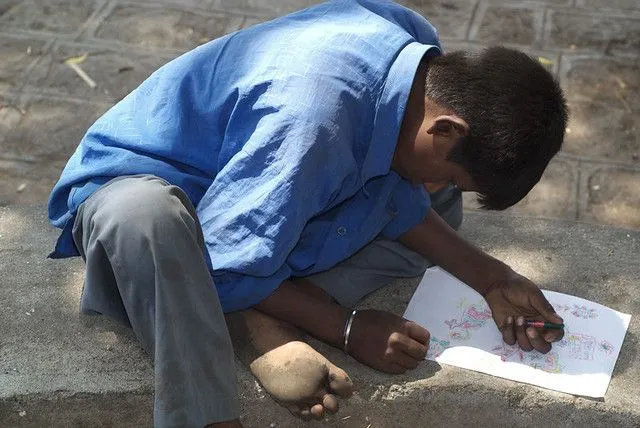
510	296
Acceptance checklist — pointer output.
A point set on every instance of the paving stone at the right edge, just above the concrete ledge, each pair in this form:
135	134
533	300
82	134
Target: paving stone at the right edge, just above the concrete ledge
614	197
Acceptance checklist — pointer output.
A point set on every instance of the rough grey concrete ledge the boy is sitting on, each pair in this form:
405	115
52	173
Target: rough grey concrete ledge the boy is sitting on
59	370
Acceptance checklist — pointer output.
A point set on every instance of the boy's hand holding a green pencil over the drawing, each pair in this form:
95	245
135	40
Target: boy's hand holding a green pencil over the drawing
514	299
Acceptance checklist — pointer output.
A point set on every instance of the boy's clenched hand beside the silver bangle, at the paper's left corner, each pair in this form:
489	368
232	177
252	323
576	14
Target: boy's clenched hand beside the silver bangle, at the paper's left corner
387	342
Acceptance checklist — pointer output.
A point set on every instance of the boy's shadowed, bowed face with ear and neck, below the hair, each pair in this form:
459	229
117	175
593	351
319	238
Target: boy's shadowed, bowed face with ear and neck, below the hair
427	135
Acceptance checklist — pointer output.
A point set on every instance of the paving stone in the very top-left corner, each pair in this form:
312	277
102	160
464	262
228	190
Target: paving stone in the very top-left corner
57	16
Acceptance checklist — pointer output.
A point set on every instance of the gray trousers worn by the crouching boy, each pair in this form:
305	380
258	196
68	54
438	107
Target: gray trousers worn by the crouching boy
145	267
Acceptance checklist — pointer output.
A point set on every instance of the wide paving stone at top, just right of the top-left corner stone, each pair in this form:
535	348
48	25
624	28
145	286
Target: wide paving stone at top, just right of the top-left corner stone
165	27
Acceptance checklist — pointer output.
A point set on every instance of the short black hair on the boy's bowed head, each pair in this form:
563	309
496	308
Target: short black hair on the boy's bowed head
516	114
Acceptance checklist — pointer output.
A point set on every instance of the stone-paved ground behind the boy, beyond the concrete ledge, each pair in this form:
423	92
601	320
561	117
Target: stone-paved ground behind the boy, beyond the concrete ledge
592	46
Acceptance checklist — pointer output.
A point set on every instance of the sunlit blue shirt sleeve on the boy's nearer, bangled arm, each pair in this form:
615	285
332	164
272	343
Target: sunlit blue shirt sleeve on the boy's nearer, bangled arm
288	171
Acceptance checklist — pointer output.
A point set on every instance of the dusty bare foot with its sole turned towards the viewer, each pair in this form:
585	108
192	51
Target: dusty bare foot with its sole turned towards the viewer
290	370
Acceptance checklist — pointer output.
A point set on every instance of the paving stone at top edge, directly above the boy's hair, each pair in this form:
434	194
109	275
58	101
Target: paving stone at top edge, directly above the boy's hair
451	17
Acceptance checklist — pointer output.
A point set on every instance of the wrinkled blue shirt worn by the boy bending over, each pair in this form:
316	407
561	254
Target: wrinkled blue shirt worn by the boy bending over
282	135
